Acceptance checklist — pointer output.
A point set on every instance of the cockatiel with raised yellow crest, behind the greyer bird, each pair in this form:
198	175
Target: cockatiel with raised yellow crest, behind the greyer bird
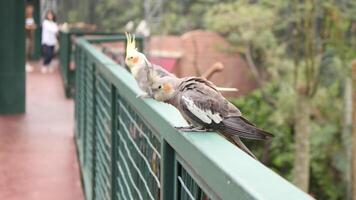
138	64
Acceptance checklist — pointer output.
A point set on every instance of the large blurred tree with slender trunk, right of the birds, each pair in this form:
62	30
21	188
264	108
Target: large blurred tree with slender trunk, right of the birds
291	49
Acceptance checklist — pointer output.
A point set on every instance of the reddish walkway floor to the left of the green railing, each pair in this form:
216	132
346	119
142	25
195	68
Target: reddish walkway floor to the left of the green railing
37	152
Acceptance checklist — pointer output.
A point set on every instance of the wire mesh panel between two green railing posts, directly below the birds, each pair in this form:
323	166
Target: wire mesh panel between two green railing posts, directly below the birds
138	156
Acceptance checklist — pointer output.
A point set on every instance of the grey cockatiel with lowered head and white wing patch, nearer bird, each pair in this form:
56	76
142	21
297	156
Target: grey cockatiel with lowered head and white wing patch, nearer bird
203	106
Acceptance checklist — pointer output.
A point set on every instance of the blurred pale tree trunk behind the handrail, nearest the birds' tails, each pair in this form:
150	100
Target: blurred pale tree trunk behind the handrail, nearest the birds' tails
302	144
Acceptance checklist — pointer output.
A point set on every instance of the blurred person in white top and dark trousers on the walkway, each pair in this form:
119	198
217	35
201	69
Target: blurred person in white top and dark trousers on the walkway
49	40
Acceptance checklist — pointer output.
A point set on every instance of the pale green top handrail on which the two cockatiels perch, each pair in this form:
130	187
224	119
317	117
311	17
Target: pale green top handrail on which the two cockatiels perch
221	169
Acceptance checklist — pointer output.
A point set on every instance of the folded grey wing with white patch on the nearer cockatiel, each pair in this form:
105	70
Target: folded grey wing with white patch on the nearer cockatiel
205	106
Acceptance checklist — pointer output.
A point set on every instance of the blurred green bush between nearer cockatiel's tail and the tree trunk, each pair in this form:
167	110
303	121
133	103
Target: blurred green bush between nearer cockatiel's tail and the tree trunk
281	147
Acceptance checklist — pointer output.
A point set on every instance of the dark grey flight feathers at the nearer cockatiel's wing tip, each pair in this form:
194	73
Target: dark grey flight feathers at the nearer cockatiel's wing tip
239	126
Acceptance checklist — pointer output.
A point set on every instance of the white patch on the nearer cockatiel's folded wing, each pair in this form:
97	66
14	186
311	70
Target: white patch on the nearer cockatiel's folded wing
204	115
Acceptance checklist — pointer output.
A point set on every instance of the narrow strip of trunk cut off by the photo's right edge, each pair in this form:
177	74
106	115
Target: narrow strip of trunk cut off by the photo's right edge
354	133
